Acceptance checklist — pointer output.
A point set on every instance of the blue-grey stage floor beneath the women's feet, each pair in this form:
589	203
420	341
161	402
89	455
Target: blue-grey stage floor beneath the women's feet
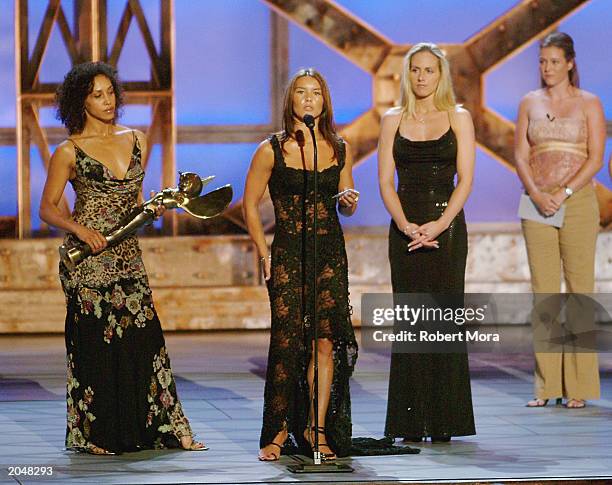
220	382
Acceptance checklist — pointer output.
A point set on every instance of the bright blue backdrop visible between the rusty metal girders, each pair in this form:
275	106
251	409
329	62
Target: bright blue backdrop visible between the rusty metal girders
222	77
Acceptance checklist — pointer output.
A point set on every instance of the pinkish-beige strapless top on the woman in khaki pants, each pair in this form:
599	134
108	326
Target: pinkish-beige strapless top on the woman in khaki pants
558	150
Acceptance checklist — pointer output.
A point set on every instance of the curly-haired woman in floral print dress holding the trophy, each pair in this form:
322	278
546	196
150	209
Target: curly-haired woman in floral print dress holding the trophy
121	394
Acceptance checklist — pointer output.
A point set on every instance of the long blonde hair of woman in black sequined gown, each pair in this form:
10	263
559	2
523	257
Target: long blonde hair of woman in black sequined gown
444	97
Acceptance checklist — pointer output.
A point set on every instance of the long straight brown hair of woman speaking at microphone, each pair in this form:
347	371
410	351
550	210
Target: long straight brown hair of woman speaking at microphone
326	123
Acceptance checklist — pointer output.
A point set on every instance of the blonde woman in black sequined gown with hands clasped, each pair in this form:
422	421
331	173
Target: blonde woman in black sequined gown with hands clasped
427	140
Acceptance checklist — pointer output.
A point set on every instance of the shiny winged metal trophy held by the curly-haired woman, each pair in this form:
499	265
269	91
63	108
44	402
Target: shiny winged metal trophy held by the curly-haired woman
186	196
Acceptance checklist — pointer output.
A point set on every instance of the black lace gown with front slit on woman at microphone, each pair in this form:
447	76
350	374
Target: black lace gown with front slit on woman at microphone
286	396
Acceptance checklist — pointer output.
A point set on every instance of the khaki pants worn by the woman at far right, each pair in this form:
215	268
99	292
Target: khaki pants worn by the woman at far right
568	374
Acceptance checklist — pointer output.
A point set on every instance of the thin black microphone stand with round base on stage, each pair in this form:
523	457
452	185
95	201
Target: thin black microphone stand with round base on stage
317	465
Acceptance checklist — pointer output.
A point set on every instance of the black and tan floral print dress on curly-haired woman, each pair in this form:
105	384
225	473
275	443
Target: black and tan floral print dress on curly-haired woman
121	394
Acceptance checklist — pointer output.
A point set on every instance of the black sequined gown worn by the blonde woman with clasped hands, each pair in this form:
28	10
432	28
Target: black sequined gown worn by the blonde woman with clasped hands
429	394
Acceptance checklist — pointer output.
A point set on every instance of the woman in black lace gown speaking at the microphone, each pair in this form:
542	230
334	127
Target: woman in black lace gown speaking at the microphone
277	164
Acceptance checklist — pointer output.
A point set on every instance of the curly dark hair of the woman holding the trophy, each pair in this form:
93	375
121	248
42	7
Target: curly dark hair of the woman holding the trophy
78	84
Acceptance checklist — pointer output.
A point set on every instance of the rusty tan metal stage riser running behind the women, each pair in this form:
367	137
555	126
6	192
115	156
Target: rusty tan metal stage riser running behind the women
213	282
